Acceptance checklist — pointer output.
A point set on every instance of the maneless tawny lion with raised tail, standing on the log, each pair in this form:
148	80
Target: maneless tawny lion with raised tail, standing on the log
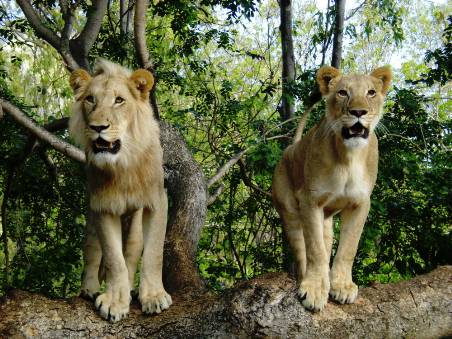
332	169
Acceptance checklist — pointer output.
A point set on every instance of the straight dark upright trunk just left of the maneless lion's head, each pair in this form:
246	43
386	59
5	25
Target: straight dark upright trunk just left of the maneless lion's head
288	59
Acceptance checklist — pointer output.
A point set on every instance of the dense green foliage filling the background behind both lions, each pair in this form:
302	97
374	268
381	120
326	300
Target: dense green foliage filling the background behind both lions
218	70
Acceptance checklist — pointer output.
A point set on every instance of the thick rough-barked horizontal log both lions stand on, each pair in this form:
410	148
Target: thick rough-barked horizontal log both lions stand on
264	307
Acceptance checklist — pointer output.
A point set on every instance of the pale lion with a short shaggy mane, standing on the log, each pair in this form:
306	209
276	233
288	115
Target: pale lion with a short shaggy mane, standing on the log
113	122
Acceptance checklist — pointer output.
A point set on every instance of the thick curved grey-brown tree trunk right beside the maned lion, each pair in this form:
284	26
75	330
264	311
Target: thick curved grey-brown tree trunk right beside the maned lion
187	192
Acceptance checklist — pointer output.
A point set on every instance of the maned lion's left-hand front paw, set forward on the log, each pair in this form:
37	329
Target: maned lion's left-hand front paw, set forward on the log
114	304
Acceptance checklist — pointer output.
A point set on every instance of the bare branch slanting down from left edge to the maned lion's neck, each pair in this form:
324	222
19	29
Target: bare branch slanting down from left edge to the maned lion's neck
42	134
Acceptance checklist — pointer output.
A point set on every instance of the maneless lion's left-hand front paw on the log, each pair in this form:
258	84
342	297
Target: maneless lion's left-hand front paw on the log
314	292
